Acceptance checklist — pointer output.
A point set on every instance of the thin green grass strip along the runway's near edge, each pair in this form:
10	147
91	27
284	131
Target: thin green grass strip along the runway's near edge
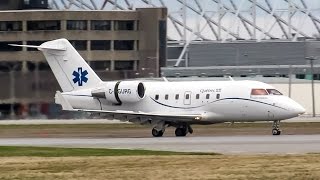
11	151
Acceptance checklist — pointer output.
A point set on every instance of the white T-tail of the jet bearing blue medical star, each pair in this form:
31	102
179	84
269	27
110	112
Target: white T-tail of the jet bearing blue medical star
70	69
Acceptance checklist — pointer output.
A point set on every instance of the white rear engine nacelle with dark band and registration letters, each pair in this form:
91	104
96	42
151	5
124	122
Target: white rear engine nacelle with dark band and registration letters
121	92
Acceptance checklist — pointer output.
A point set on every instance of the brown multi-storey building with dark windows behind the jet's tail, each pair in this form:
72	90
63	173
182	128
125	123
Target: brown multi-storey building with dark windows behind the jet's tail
116	44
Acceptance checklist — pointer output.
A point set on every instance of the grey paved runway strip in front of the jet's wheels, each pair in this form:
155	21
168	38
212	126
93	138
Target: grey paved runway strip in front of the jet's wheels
284	144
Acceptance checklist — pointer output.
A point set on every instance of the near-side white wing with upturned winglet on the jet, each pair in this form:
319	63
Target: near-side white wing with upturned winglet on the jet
130	115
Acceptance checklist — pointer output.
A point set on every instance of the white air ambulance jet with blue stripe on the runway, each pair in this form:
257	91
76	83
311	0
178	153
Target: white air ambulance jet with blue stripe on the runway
163	104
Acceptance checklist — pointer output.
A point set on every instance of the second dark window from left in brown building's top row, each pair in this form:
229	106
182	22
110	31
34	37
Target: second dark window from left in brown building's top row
43	25
